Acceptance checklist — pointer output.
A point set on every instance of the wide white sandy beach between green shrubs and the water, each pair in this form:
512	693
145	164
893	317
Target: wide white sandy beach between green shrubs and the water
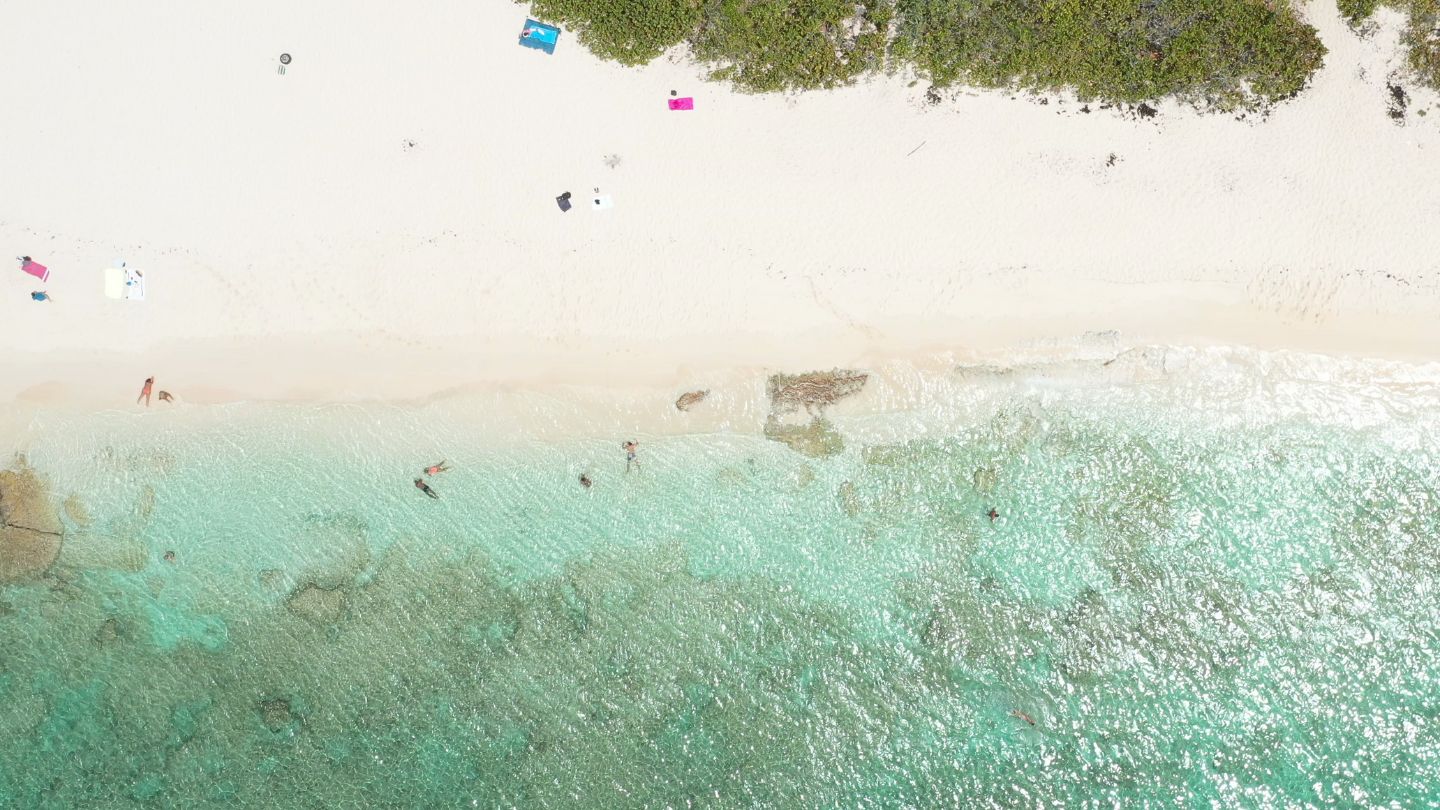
297	246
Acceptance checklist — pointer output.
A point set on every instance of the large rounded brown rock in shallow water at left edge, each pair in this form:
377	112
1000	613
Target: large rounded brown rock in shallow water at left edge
30	525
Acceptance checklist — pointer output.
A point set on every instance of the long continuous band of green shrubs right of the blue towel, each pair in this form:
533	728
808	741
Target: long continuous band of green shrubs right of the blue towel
1223	54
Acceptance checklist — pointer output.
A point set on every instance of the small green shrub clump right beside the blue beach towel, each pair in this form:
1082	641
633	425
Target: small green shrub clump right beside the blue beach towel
630	32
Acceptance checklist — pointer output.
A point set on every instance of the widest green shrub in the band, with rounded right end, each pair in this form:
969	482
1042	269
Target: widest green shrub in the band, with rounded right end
1220	53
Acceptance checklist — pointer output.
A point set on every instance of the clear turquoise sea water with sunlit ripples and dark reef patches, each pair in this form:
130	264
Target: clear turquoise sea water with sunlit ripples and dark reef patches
1213	583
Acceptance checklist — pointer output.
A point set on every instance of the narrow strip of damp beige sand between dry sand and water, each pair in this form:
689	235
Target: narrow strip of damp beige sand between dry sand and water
322	368
